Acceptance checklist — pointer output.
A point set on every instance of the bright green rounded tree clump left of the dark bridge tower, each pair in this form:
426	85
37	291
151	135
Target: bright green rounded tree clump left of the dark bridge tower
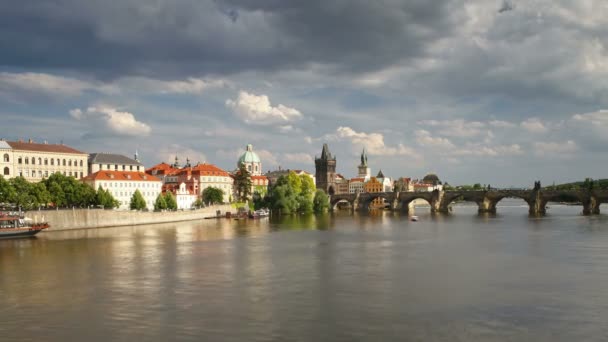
293	194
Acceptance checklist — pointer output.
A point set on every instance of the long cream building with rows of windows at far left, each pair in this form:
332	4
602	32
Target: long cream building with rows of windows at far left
34	161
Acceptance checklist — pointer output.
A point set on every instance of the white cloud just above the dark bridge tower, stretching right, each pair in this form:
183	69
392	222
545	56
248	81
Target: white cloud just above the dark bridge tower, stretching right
373	142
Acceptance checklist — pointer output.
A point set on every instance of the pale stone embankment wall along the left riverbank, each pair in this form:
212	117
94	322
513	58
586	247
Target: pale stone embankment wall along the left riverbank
97	218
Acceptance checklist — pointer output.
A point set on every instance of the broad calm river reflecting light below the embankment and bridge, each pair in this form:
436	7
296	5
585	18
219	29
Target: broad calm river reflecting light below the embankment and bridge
341	277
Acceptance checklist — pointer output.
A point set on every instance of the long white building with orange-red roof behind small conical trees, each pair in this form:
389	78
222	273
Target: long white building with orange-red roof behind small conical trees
123	184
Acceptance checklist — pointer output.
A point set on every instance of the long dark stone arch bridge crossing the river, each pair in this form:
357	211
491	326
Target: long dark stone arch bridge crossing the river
486	200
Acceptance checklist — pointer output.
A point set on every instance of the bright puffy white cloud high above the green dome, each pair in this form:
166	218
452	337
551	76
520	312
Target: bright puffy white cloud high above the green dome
257	110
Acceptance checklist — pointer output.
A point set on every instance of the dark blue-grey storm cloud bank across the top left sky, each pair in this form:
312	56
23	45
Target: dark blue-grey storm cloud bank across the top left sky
173	39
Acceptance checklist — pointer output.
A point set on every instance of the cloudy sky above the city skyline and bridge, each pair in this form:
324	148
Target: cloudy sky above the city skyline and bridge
477	91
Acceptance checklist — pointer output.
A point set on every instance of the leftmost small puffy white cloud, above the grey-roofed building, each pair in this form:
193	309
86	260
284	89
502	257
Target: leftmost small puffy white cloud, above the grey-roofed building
113	121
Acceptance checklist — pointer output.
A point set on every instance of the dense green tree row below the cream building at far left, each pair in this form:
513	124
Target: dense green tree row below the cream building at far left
56	191
